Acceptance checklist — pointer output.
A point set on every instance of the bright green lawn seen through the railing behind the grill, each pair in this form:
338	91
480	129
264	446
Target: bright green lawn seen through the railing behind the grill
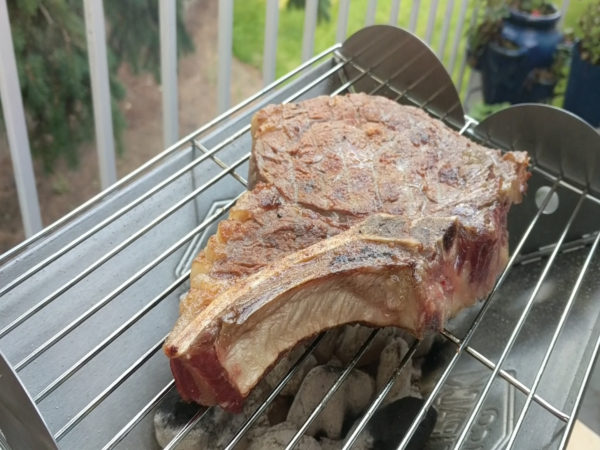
249	23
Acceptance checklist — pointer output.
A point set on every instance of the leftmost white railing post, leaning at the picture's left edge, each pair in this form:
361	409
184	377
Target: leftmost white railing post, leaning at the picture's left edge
16	129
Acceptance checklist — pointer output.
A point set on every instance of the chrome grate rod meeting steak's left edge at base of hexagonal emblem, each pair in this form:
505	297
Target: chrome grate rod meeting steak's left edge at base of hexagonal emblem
109	339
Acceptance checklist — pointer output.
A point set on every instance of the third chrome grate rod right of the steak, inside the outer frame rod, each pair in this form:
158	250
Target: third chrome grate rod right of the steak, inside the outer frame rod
554	340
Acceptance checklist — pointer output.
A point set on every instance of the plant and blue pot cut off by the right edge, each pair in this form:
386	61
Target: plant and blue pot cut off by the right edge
583	89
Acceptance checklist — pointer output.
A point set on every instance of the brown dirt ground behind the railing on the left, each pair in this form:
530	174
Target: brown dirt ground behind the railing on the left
65	189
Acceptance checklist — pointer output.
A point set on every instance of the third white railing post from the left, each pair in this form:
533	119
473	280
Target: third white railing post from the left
168	70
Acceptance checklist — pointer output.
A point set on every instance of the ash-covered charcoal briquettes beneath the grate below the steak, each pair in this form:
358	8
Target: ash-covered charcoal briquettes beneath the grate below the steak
306	389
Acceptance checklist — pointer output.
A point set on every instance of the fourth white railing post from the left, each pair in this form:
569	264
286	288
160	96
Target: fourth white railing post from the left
225	47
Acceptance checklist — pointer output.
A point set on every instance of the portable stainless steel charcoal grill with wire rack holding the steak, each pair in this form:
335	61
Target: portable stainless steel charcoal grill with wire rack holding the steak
87	303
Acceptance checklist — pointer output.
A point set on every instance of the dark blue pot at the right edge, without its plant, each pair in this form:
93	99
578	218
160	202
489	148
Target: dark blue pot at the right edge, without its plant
583	89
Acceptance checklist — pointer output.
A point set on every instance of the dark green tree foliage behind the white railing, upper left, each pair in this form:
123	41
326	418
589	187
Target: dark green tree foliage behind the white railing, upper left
51	52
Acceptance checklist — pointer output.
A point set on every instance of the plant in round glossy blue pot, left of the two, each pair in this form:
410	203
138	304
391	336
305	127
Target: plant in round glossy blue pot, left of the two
513	45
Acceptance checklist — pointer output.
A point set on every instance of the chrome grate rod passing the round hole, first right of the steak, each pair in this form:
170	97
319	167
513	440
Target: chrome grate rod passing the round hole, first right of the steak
470	333
